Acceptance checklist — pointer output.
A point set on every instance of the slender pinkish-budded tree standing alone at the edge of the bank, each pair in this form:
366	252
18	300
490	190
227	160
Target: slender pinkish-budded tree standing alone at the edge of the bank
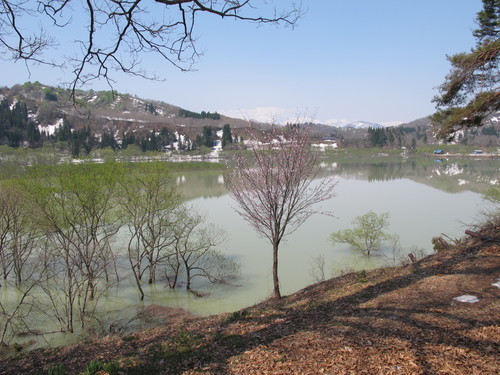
275	187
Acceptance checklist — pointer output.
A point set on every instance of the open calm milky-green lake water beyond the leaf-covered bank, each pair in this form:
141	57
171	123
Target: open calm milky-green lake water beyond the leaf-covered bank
424	198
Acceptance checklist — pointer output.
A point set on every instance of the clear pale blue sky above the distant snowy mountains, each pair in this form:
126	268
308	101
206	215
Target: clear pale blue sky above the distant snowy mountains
371	60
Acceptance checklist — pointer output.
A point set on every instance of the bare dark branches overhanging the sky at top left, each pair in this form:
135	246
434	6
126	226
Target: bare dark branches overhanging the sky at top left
117	34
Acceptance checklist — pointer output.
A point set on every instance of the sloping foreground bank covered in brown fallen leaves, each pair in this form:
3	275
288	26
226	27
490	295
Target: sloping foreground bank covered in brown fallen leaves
389	321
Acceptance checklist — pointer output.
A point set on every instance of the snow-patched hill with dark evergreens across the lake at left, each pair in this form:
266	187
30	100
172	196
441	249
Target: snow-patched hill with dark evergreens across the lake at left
33	114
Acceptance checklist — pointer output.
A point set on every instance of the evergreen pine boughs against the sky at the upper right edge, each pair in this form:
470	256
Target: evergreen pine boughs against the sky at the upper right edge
470	91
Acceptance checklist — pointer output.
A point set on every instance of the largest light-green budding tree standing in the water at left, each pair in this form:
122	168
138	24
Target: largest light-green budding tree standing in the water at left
76	205
